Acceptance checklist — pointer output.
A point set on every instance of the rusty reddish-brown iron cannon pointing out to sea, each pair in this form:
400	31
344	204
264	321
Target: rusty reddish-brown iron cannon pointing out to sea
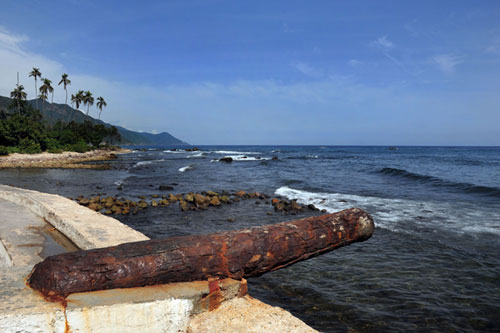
233	254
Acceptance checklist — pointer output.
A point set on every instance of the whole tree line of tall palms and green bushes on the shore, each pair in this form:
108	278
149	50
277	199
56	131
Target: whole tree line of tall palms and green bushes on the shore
25	131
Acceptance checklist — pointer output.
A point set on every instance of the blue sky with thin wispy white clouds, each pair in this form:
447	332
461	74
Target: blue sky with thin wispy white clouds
270	72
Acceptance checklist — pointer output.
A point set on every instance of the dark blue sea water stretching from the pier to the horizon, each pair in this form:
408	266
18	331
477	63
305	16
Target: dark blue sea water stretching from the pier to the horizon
433	262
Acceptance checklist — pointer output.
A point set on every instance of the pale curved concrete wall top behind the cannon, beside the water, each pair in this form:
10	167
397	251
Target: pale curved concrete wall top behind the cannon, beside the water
86	228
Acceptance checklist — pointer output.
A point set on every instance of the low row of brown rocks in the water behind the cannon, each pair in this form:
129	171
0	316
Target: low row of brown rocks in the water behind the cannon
189	202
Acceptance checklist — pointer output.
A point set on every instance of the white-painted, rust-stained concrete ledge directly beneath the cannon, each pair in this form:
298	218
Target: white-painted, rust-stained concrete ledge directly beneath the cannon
164	308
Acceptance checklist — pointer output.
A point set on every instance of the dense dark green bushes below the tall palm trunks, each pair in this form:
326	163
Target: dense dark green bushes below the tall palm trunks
26	132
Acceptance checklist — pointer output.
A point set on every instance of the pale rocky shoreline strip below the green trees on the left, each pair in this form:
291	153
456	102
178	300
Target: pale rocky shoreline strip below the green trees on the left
64	160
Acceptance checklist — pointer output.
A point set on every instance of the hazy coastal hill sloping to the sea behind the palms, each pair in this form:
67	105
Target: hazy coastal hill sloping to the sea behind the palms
54	112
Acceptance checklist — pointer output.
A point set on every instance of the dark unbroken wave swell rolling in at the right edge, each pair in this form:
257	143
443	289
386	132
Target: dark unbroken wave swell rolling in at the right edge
435	181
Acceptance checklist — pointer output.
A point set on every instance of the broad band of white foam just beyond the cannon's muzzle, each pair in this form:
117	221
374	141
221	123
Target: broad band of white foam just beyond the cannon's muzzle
400	215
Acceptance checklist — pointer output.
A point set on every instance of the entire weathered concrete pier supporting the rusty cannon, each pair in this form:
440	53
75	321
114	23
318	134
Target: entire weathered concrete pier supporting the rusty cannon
34	225
